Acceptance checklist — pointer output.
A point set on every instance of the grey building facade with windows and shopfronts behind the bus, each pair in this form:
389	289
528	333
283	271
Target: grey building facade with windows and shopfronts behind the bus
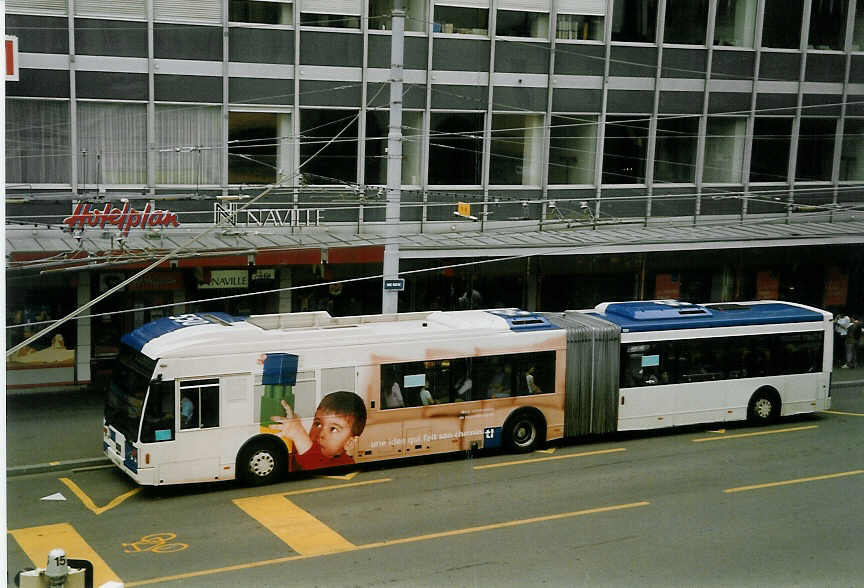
543	115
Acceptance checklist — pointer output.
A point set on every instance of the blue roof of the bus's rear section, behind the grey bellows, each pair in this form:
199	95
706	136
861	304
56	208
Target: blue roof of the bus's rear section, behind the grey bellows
665	316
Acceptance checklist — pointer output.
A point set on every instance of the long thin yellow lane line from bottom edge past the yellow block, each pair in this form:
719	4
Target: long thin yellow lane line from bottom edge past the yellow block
402	541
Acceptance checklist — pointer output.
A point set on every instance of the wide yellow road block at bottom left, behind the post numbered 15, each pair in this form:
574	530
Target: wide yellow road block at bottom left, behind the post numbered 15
36	542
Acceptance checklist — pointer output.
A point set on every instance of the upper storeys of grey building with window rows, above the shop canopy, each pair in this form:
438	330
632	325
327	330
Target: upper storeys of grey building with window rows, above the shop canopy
533	127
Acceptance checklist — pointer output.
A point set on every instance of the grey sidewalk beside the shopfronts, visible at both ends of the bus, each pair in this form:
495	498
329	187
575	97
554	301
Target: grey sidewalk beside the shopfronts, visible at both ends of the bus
63	430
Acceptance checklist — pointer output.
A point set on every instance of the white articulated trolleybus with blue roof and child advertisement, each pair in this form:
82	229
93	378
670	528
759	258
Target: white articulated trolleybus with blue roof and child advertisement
201	397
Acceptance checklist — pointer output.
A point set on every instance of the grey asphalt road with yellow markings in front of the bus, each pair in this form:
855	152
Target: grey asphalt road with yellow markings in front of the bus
774	506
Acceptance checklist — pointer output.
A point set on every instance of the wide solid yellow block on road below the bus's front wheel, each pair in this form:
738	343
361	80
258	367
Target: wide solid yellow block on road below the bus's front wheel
300	530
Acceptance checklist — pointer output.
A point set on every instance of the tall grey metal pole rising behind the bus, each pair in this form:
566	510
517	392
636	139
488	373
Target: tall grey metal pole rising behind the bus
390	298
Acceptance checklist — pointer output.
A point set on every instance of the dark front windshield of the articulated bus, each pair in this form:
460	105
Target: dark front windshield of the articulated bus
130	377
